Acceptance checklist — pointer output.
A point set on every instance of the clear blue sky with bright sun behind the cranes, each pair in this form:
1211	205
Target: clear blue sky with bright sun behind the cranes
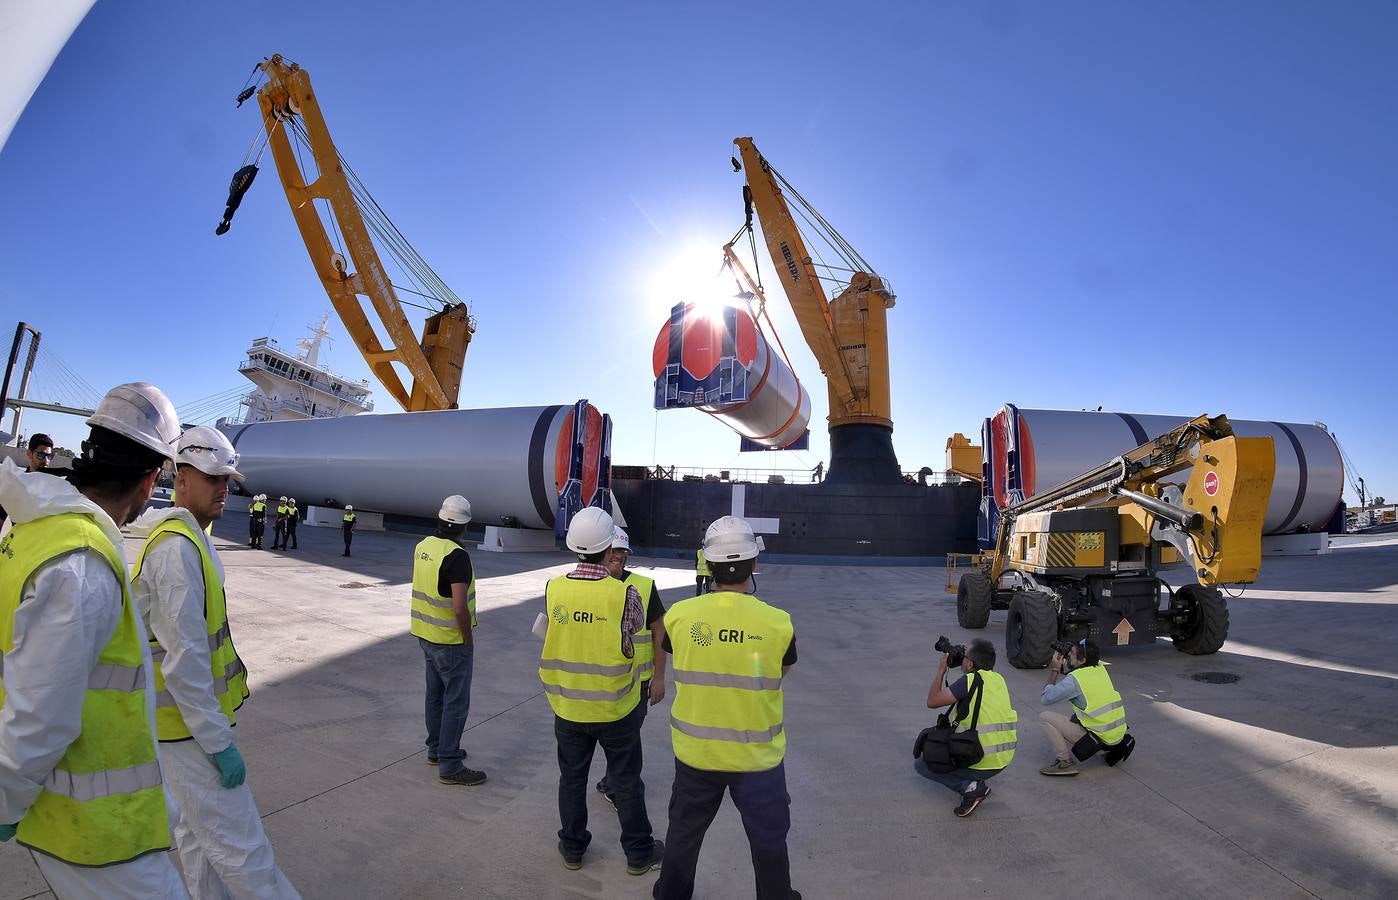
1147	208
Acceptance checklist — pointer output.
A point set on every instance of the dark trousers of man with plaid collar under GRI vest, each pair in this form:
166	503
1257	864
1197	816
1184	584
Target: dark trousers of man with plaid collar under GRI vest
621	746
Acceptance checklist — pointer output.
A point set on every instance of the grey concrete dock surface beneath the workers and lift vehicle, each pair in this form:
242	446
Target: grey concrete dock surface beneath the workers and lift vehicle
1280	785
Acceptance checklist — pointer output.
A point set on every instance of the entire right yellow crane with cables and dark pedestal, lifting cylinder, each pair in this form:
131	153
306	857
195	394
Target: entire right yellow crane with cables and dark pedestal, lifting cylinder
848	336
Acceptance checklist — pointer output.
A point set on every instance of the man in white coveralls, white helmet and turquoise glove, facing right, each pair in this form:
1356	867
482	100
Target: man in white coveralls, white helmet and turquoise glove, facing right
201	681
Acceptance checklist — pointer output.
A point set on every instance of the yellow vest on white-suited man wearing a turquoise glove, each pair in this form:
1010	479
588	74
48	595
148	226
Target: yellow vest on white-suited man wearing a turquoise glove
230	674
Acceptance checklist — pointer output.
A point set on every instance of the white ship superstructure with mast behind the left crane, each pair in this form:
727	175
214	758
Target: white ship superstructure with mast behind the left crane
294	386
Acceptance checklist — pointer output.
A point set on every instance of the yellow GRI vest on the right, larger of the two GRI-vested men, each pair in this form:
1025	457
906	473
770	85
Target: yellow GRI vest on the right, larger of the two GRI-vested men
728	669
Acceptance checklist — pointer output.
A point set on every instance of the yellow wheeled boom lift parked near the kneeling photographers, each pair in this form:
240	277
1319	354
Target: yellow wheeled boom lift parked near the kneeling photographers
1083	560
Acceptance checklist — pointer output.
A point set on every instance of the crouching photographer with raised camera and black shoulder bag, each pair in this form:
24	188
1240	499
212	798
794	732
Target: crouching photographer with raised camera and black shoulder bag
975	739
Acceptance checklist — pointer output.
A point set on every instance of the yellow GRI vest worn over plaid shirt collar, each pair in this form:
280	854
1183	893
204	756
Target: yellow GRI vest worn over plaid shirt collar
584	670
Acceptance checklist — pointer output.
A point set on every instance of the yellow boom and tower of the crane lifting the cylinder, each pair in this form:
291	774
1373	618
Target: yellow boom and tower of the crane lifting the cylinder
848	336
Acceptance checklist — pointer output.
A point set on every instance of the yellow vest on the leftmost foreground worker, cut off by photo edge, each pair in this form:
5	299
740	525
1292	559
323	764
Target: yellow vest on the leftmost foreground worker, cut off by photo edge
104	803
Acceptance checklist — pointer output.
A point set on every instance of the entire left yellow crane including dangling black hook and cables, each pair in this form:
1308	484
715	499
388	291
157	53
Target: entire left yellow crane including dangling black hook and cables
350	269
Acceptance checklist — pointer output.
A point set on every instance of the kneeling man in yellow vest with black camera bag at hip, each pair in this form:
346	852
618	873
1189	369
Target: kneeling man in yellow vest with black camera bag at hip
979	697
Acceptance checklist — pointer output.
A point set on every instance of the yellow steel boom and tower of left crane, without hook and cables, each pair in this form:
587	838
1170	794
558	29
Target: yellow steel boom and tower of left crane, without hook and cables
435	364
